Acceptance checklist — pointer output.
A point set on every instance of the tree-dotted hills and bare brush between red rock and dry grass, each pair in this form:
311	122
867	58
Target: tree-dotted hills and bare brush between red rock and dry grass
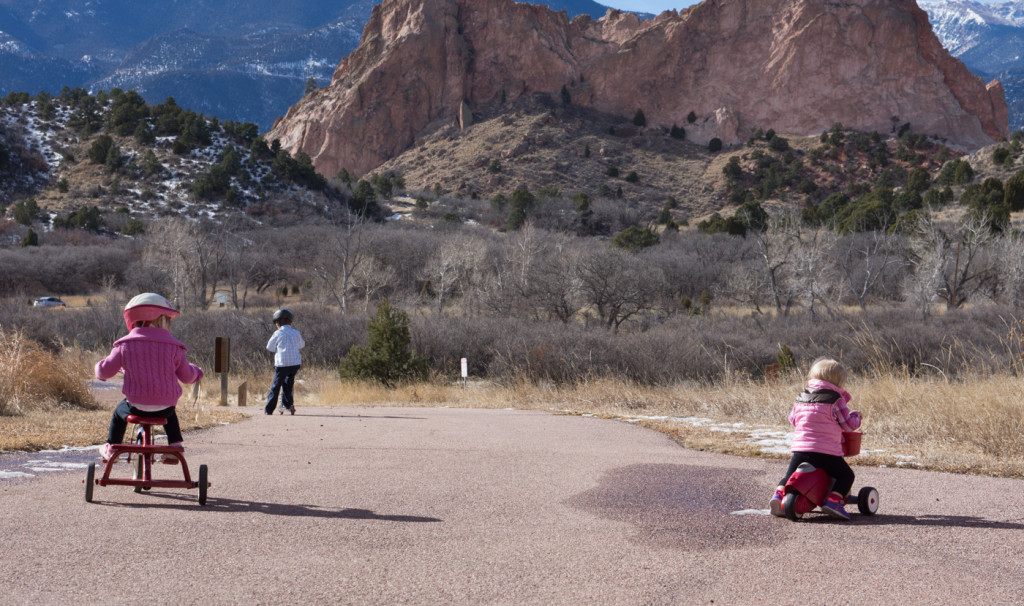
601	248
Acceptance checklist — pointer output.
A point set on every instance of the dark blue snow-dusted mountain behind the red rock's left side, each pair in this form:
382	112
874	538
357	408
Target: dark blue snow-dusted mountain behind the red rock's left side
246	62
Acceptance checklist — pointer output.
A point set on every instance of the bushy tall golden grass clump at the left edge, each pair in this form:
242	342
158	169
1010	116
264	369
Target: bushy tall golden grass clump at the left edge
34	379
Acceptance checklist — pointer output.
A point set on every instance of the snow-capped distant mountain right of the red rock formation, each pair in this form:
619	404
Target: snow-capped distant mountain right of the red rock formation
990	39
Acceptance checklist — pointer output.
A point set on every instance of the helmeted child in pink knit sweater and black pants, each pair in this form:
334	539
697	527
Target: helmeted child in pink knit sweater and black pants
154	363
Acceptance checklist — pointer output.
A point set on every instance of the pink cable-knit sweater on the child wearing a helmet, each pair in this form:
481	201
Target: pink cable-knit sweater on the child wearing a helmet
154	362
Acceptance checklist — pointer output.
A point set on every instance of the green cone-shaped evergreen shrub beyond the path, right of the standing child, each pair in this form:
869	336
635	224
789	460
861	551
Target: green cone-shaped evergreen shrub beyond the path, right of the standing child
387	357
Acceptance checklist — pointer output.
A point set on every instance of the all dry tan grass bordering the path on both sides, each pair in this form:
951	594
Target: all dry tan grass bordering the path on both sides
972	425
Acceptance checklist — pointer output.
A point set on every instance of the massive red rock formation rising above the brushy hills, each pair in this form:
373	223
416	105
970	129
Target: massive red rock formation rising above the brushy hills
795	66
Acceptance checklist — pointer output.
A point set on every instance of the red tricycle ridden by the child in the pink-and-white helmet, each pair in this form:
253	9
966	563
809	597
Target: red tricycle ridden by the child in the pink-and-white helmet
146	451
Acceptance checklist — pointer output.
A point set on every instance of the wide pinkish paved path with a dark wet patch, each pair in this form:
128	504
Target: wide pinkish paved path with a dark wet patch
445	506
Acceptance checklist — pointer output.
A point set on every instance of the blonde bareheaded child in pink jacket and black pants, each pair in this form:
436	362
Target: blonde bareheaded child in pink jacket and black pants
820	418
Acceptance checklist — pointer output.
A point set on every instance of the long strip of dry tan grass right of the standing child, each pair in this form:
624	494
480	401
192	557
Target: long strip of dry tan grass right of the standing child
969	425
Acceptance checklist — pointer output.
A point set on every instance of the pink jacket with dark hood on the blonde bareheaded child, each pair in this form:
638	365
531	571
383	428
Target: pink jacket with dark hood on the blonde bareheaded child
820	425
